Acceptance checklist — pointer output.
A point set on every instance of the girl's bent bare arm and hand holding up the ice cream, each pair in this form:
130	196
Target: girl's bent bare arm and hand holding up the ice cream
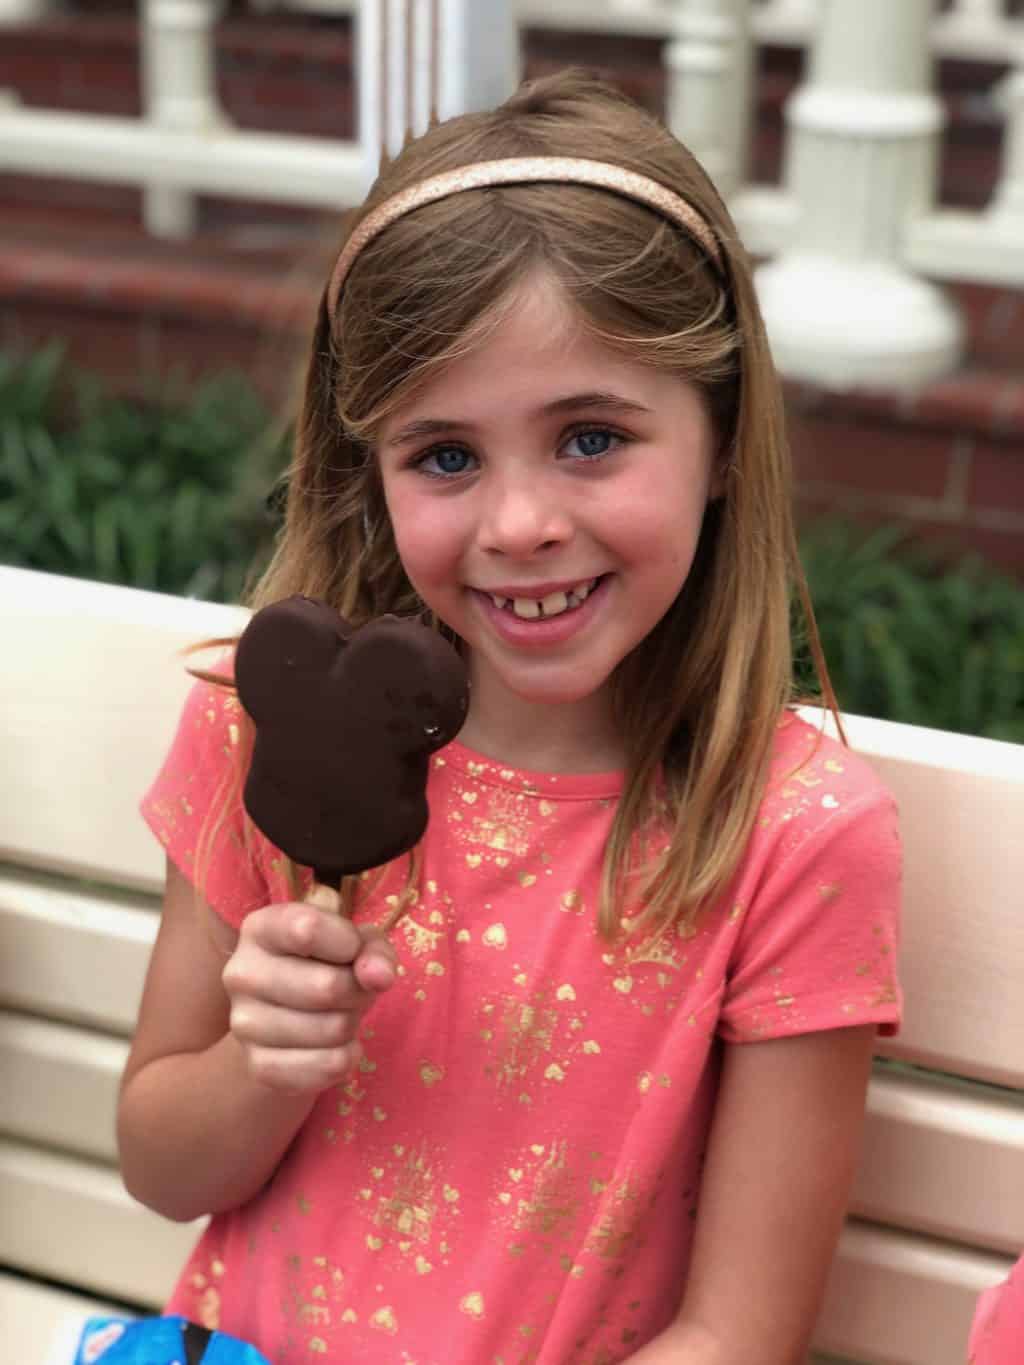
219	1080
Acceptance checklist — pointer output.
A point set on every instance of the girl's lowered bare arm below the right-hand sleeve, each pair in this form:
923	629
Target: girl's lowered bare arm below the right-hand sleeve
782	1160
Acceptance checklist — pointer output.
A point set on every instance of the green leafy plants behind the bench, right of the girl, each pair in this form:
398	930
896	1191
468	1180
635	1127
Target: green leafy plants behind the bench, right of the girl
914	640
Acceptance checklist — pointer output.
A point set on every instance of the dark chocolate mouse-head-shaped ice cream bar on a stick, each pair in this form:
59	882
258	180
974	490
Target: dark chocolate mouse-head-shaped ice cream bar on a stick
346	721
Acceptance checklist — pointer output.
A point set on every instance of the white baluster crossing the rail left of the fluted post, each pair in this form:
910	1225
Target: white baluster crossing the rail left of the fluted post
180	94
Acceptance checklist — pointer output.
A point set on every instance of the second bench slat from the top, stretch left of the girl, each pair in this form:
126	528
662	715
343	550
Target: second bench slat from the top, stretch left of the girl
74	955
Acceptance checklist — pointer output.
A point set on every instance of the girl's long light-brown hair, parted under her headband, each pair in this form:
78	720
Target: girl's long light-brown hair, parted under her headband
700	700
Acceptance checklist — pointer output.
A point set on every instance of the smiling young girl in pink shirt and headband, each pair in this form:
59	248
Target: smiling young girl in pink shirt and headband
582	1082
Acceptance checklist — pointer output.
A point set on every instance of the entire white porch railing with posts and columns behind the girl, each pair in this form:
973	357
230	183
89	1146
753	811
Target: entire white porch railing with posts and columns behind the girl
855	231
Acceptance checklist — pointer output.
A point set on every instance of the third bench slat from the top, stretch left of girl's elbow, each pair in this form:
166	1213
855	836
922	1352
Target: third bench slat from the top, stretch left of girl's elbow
59	1086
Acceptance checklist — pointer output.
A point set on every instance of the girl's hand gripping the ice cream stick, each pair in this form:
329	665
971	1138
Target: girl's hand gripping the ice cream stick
300	982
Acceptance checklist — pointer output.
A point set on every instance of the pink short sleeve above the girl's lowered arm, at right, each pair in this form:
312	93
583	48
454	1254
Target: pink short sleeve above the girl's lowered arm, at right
819	941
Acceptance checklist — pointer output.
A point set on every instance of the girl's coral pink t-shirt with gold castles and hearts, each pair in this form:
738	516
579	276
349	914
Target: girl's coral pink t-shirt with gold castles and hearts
514	1173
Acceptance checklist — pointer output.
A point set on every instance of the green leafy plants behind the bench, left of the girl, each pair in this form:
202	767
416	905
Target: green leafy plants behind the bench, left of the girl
156	495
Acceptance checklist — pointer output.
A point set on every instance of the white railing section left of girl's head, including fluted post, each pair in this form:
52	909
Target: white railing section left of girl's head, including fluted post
406	70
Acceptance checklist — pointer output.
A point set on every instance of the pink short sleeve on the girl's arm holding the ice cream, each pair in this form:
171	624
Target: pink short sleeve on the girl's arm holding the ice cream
195	809
